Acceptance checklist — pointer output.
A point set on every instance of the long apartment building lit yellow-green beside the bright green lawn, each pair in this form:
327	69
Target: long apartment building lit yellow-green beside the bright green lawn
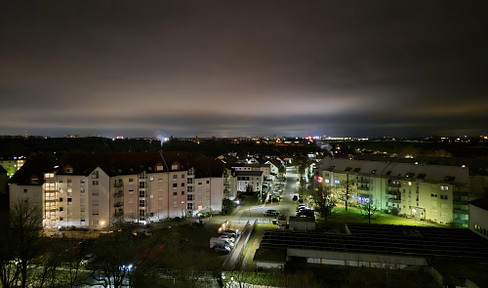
430	192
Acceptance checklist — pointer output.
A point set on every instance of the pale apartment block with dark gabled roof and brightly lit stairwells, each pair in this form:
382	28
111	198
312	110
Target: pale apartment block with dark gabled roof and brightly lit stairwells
94	190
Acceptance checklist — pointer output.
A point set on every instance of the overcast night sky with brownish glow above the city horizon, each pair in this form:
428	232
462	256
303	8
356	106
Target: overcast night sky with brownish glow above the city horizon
234	68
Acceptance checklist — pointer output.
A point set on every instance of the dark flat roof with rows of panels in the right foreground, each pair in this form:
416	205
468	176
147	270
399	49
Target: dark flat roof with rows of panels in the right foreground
432	243
